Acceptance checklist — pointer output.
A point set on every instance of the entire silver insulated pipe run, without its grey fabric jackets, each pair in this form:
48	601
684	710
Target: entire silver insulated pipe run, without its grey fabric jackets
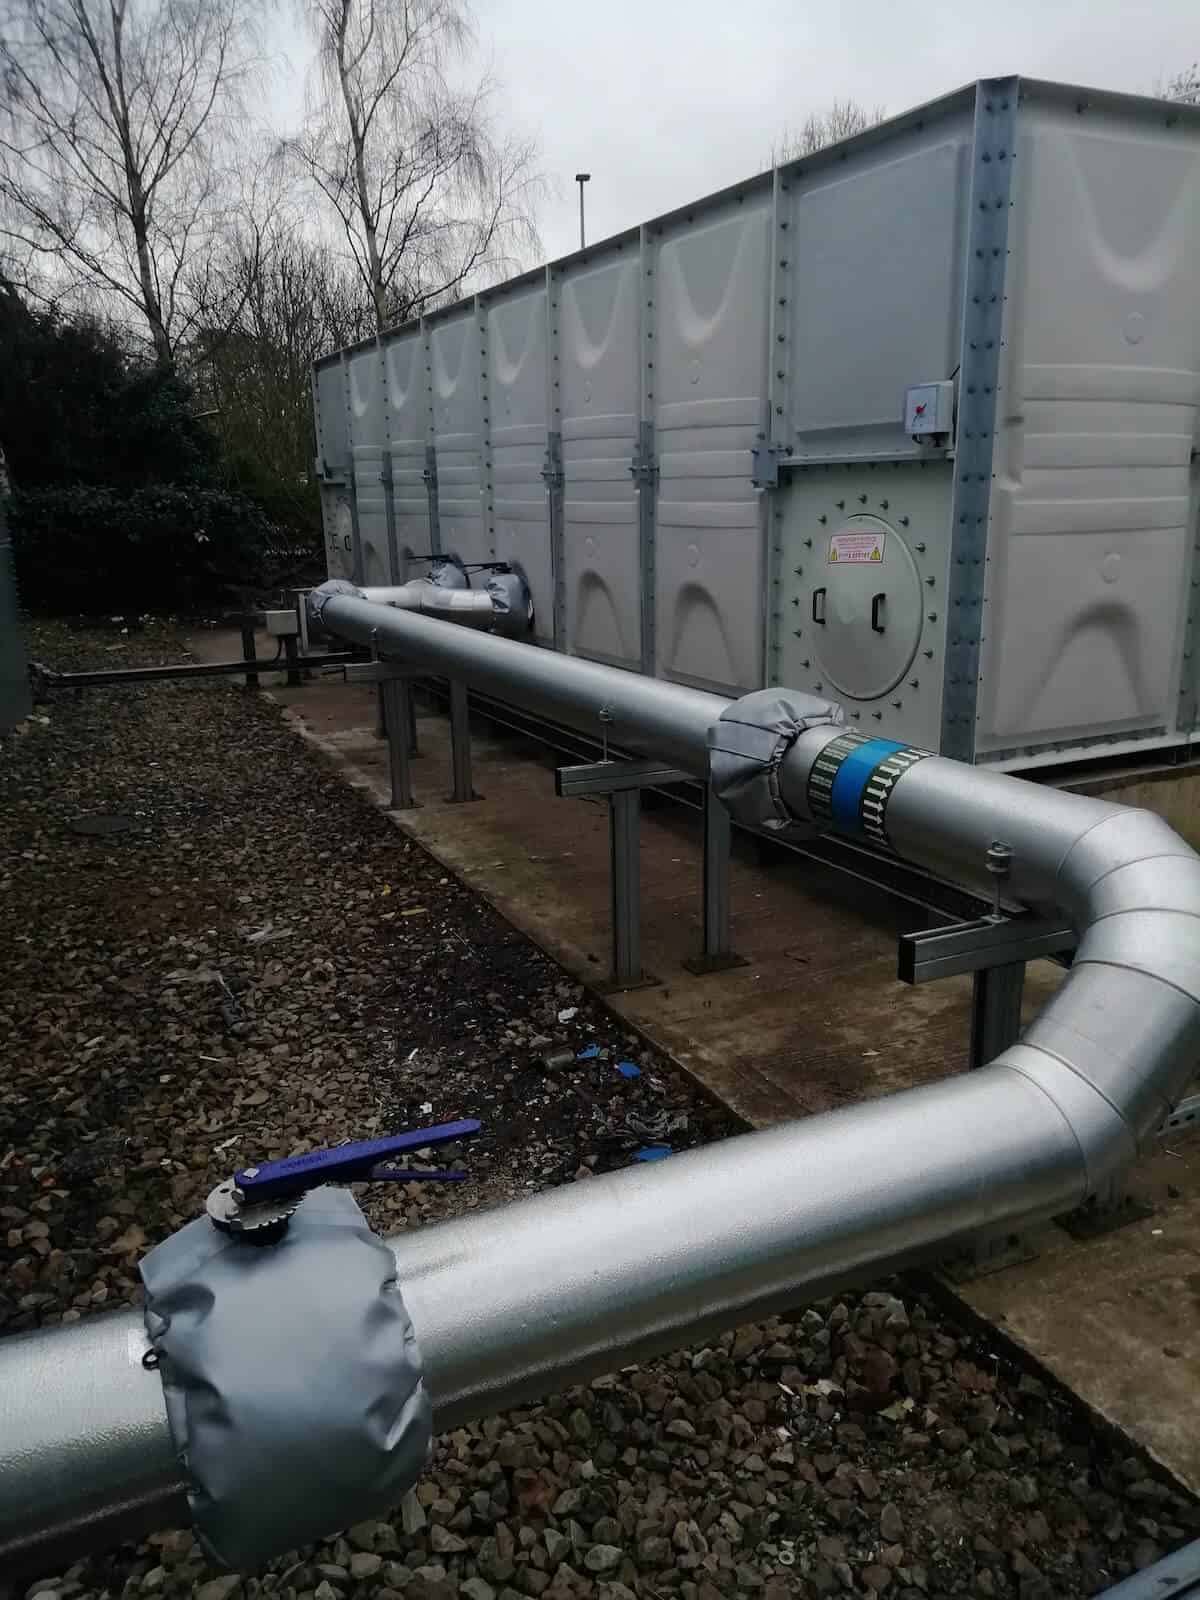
511	1305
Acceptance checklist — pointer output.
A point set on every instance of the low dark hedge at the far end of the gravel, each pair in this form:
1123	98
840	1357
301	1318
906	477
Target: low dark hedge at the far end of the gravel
161	548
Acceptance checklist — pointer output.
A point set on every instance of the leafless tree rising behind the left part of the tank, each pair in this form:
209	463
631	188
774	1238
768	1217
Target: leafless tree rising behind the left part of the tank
425	188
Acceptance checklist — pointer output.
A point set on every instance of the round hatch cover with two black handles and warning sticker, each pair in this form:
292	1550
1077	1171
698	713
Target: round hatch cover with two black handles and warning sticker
866	609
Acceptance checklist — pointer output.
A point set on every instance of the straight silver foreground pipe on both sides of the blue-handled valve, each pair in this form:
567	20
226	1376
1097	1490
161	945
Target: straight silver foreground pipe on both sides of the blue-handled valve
521	1300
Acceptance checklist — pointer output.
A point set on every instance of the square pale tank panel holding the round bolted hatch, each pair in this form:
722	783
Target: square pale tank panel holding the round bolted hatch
863	582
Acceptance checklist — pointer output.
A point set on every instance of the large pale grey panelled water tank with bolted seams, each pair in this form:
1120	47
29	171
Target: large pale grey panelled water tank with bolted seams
910	422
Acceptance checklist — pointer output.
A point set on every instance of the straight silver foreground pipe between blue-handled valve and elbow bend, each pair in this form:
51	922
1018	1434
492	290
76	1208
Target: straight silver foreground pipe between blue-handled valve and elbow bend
518	1302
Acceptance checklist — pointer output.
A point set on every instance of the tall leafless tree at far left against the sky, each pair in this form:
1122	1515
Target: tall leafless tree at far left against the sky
114	118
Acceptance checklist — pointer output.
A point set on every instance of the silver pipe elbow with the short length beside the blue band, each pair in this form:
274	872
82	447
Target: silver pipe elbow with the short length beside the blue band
1118	1046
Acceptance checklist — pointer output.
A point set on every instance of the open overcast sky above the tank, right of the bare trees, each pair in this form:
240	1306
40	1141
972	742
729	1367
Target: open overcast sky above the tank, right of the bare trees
665	102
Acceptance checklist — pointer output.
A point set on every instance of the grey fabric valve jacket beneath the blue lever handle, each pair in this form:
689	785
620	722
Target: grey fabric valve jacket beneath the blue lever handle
292	1378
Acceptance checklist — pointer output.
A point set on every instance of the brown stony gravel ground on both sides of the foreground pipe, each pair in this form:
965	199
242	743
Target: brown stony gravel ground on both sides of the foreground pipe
262	966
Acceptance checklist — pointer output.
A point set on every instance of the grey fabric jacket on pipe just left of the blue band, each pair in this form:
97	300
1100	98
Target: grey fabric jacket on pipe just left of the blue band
746	746
